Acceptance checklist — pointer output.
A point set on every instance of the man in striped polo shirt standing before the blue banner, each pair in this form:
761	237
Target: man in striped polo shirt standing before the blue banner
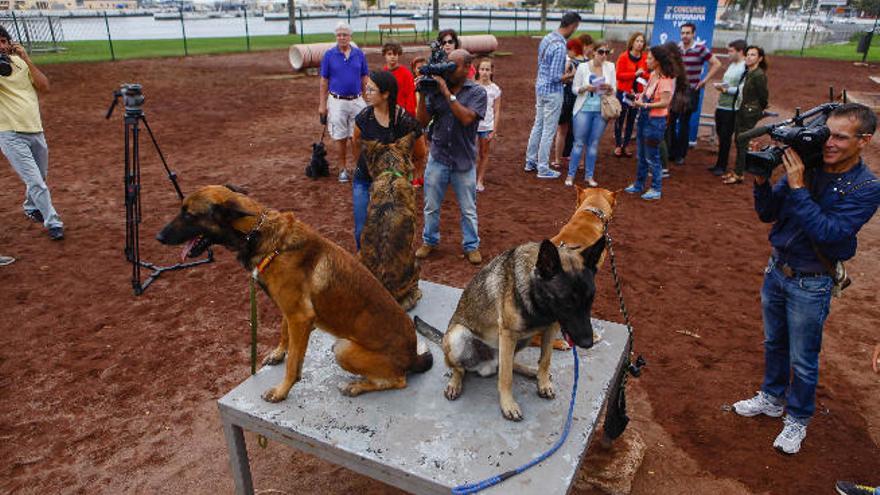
694	55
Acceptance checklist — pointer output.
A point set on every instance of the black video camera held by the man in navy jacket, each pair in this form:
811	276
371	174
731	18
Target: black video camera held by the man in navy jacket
806	133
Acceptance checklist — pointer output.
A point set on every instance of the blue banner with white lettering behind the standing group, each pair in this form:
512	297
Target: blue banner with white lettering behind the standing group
668	18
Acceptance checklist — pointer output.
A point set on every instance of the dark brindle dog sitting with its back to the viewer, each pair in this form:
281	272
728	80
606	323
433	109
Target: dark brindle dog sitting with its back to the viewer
387	238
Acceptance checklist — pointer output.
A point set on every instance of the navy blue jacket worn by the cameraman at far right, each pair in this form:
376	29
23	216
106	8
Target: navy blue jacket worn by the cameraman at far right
831	220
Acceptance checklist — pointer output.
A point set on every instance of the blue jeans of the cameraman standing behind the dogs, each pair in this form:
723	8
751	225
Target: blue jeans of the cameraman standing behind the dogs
438	177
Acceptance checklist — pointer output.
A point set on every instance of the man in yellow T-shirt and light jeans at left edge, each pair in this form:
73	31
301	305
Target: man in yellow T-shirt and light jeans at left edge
21	132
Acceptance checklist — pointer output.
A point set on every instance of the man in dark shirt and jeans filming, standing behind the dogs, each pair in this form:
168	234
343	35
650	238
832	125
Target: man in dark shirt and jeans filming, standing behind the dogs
457	106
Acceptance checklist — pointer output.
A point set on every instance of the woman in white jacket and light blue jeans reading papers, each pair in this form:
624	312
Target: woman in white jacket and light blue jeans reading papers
594	84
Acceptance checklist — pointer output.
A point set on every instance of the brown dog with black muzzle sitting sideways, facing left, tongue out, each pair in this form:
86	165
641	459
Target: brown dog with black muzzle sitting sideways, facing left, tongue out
313	282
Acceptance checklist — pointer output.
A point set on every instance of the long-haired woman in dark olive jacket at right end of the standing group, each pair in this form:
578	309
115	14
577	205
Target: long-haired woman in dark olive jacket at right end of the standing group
751	101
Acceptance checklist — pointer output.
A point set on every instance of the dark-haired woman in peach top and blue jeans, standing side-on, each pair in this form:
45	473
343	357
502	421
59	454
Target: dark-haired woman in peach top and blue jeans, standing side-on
653	107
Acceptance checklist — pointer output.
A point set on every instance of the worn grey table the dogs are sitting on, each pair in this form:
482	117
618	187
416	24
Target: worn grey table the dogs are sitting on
414	438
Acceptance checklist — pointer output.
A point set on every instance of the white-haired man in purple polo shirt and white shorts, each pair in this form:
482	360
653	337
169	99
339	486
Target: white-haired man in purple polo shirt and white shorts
343	76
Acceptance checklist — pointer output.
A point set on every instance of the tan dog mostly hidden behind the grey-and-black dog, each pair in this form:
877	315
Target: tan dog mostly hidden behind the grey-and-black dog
583	229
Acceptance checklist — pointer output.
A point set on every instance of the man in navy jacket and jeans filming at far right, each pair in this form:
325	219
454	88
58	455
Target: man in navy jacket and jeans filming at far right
815	222
